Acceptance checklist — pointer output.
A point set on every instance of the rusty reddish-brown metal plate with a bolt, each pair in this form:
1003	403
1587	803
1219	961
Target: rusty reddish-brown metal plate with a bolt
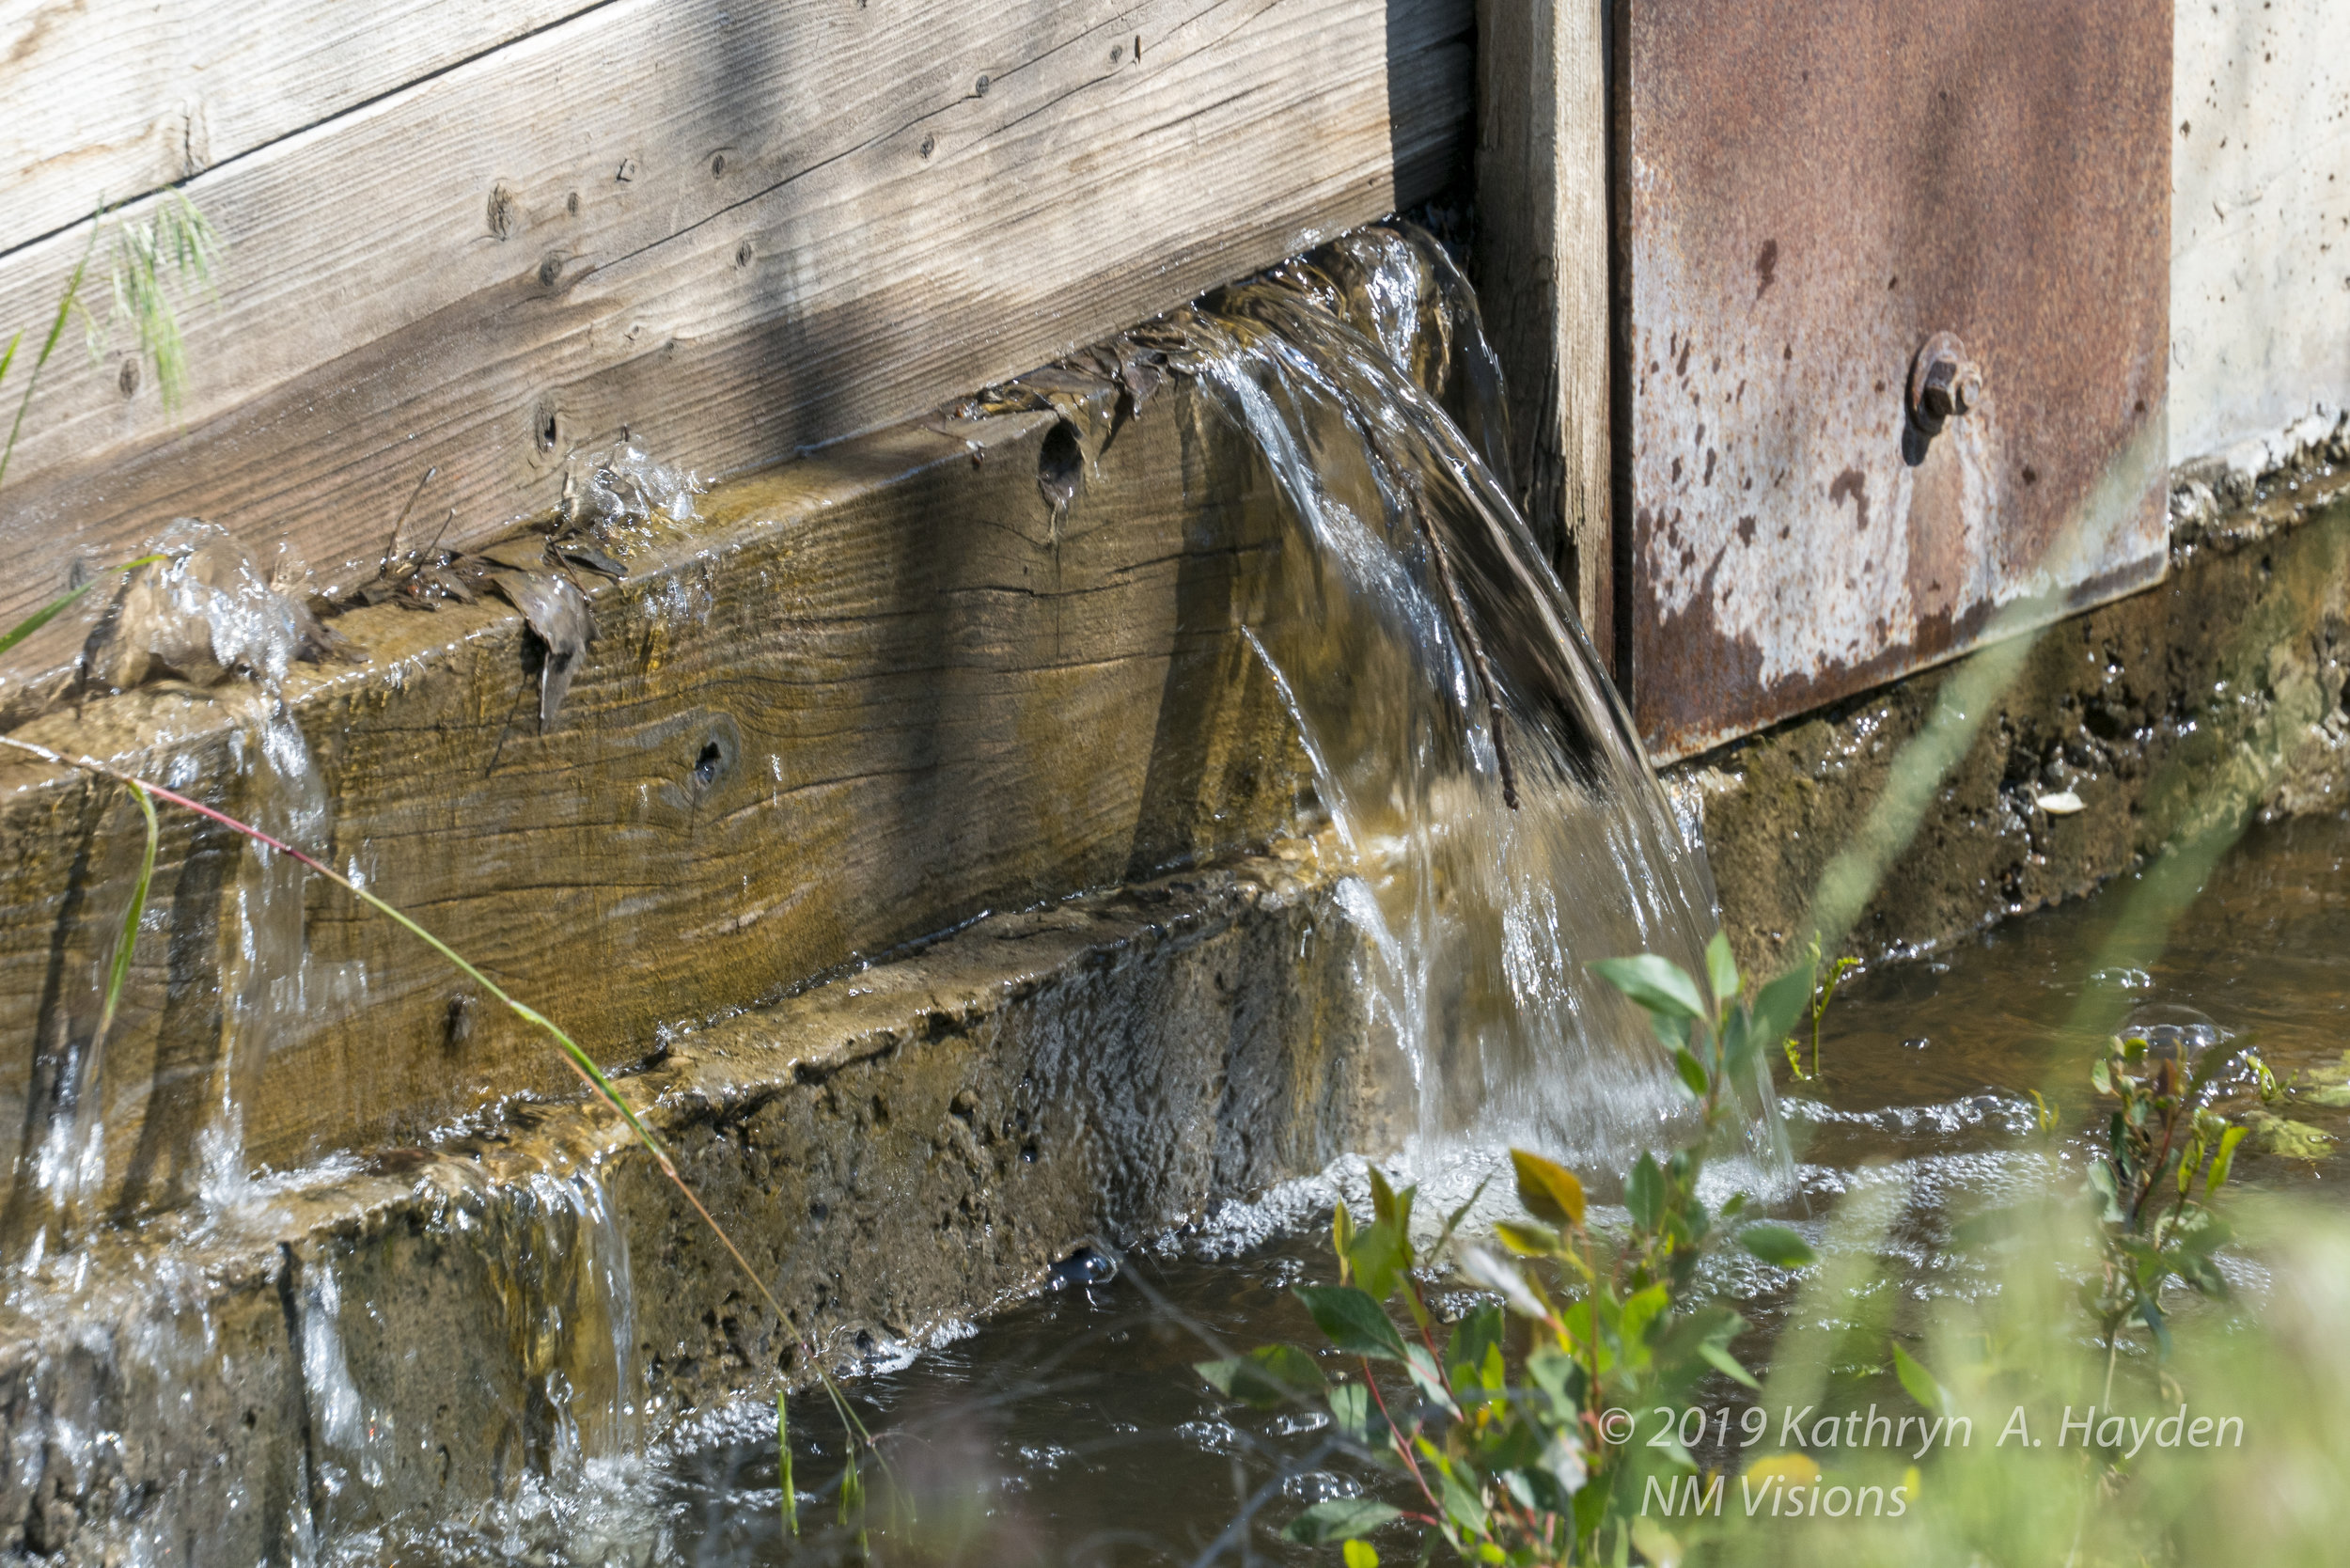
1811	194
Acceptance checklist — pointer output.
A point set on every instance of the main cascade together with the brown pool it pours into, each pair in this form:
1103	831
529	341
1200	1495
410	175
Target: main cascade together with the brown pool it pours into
1505	829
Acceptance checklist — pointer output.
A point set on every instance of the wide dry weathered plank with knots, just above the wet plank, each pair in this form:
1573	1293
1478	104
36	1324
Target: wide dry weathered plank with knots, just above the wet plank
739	234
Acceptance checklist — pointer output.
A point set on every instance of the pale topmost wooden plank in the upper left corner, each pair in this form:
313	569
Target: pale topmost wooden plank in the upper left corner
112	100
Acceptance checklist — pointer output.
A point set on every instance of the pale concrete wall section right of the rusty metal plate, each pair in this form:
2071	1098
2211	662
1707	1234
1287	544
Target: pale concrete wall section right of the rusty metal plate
2260	225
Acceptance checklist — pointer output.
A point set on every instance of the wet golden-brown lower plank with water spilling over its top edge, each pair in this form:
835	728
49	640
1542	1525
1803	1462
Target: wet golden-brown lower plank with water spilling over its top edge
875	697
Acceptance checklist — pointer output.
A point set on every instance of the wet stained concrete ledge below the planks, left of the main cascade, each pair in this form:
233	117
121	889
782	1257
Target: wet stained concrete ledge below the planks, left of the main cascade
894	1151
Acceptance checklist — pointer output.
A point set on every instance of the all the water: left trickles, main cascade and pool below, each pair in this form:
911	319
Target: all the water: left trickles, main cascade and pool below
1503	831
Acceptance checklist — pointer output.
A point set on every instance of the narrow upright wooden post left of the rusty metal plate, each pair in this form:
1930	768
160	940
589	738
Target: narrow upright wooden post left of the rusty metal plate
1543	276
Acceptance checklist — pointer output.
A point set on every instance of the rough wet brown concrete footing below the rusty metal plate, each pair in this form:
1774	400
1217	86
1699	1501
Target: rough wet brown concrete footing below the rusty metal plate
2208	699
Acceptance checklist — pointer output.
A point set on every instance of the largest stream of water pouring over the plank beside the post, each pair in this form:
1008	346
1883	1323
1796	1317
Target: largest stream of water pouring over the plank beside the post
1503	822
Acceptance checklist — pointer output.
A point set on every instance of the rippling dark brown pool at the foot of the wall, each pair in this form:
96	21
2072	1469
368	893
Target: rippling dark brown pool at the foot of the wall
1070	1430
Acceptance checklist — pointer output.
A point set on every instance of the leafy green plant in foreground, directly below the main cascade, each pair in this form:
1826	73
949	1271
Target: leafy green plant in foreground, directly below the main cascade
1510	1456
